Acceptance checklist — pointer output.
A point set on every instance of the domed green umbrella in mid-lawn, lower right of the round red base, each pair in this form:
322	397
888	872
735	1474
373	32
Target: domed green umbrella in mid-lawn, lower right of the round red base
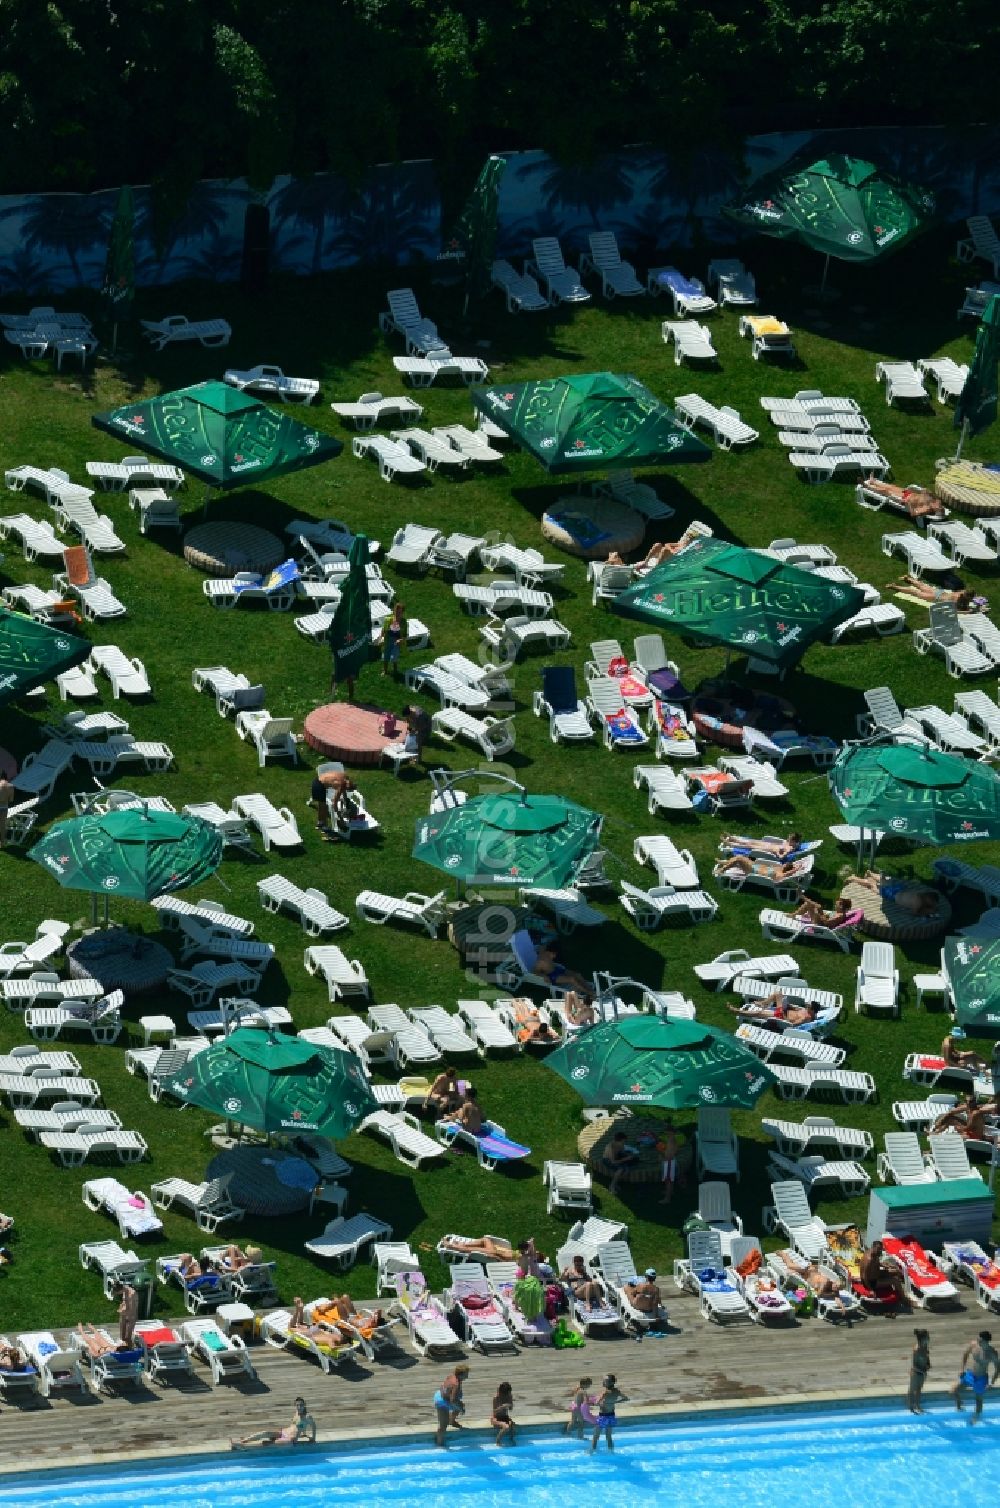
509	839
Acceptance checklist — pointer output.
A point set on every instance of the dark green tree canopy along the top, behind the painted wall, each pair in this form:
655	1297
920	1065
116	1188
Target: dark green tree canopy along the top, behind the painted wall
94	93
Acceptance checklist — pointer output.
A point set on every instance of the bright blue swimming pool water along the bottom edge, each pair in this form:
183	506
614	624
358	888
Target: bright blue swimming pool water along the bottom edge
782	1459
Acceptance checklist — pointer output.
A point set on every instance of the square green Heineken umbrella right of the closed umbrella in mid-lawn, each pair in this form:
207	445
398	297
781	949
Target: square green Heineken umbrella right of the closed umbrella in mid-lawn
738	598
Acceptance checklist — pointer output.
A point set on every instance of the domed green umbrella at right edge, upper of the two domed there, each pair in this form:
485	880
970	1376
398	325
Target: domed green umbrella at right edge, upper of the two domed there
918	794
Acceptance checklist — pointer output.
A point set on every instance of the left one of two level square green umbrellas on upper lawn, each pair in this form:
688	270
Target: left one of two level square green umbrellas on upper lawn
219	435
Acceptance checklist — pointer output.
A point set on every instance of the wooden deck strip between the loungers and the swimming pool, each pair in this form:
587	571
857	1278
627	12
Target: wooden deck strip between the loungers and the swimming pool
698	1367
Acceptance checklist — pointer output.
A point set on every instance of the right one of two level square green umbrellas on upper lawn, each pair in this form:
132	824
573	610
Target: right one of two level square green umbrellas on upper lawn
600	420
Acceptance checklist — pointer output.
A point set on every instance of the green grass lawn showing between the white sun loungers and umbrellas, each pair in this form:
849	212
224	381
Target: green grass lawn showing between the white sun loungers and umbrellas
328	329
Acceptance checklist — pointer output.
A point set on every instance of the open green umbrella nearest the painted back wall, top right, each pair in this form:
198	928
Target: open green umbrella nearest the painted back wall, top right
841	206
